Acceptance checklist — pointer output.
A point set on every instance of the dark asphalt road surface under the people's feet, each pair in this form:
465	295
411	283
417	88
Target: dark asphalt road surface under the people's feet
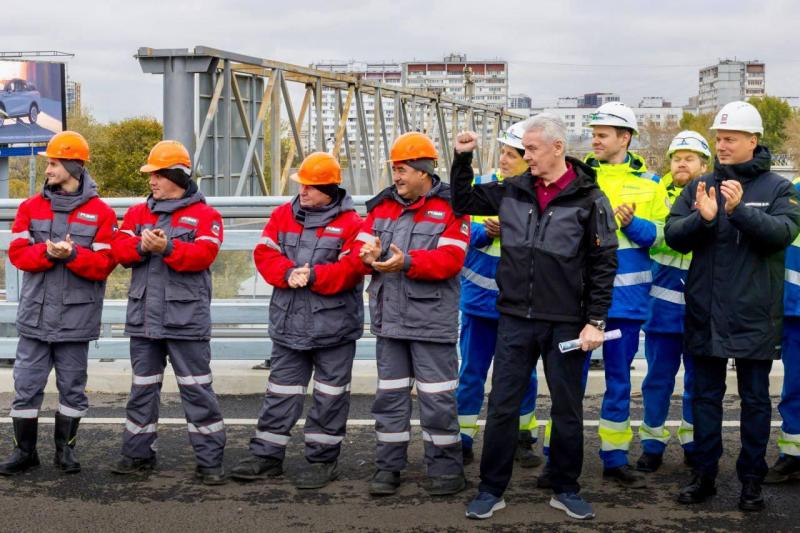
171	500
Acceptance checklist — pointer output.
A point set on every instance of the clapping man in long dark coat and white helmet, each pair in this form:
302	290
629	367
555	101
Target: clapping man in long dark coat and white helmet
737	222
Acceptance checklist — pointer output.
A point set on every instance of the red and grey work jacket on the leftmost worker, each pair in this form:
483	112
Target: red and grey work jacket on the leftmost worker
62	299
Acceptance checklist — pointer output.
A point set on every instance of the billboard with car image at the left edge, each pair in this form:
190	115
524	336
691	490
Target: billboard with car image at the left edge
32	101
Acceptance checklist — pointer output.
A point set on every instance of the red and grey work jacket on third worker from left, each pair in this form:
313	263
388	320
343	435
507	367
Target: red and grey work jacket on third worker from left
330	309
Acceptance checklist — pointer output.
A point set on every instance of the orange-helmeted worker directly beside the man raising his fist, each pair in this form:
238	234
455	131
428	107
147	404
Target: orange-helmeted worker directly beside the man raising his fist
414	246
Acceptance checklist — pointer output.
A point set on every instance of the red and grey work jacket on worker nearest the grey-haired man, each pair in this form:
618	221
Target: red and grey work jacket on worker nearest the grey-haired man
421	301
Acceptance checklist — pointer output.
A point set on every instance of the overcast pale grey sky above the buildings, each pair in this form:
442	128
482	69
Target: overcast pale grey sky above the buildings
553	49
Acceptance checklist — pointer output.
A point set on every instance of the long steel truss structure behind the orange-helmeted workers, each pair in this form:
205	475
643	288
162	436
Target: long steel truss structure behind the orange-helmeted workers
232	110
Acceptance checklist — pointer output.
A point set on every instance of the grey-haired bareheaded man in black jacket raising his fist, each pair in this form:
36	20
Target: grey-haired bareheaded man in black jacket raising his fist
556	273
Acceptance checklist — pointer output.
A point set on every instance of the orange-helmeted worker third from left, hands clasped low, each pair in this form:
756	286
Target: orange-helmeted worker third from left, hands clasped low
316	314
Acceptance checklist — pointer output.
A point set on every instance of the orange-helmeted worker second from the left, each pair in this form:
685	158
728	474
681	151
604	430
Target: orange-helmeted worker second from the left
169	242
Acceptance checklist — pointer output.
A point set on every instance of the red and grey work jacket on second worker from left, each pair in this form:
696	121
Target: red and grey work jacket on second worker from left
170	292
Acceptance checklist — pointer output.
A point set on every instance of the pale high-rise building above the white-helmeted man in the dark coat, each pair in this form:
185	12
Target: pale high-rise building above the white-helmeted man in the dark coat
730	80
